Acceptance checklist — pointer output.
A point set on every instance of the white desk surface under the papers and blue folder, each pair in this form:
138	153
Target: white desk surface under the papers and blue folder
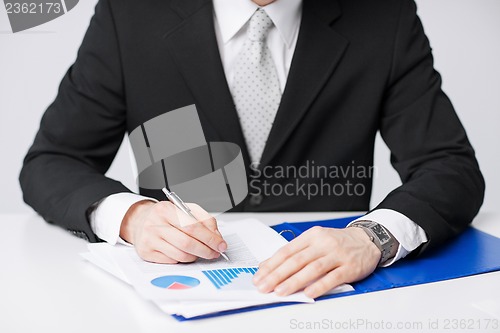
46	287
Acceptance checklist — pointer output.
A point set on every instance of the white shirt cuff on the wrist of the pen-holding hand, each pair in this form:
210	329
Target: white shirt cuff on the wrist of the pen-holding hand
106	218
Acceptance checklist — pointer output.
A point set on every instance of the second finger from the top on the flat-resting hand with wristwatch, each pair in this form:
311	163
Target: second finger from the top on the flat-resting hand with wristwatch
286	269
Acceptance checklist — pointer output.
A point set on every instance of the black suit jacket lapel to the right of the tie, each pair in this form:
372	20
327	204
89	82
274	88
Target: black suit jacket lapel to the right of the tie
318	51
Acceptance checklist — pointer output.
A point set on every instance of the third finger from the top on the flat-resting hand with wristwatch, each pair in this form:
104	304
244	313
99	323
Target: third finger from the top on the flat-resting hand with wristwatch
310	273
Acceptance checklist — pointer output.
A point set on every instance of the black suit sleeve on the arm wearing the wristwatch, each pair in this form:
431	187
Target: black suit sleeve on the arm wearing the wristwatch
443	188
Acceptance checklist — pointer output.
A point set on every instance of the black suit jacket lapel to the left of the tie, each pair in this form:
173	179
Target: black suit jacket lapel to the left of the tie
194	47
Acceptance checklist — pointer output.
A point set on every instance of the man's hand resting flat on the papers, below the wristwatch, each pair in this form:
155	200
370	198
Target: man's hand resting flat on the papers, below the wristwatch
318	260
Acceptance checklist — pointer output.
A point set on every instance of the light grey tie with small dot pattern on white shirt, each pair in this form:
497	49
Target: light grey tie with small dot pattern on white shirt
256	90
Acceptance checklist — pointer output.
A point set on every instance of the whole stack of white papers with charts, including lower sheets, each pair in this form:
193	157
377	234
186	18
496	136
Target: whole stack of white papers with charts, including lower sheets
206	285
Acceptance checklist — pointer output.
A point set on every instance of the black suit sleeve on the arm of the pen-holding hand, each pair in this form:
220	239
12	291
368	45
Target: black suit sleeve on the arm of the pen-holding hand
80	133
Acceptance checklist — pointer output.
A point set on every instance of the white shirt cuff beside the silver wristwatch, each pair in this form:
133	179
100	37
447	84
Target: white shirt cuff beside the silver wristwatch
409	234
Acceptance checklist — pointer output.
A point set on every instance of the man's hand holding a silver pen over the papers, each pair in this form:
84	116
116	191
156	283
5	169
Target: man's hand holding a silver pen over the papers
161	233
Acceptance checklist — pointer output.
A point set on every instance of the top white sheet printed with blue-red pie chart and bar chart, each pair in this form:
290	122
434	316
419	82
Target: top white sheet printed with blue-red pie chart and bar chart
249	242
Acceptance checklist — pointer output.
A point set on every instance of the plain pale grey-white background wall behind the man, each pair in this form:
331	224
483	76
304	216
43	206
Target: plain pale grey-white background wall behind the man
464	34
